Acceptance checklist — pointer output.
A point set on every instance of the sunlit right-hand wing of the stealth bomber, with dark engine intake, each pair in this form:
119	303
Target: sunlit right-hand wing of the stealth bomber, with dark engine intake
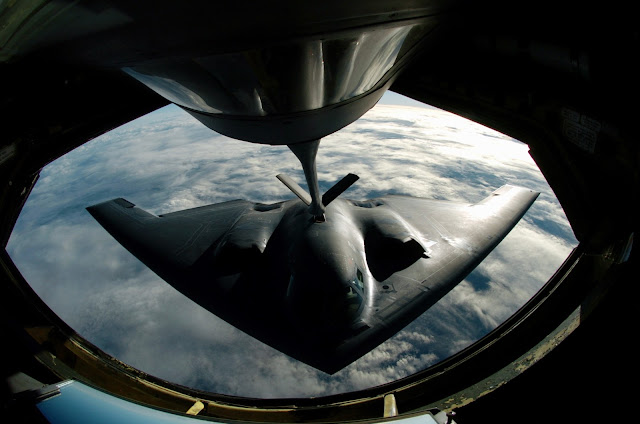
420	249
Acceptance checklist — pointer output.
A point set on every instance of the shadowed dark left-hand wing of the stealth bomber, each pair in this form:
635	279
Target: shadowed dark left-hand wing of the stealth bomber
216	255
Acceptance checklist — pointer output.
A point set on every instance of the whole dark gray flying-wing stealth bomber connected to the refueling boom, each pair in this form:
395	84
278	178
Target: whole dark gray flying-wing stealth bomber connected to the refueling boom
324	281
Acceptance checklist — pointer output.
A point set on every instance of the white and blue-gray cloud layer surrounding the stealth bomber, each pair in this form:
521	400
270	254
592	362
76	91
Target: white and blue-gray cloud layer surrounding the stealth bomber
166	161
